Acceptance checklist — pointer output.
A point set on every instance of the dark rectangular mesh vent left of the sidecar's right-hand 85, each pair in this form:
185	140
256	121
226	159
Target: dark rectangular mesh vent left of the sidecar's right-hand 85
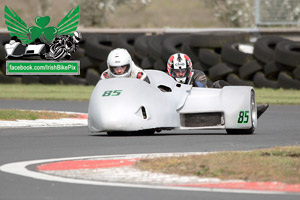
202	119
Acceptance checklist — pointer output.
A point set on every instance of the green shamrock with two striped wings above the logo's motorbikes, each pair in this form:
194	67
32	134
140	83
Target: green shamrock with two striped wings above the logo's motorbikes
17	27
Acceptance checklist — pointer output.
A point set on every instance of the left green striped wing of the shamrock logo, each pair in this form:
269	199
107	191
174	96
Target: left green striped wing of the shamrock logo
16	26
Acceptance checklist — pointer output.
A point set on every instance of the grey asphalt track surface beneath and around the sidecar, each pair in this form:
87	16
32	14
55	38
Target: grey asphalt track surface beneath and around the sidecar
279	126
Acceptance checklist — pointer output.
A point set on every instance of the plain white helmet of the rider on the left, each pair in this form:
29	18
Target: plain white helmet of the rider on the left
119	58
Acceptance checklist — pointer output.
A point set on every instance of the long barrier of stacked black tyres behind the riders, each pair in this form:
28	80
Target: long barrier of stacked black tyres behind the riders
270	61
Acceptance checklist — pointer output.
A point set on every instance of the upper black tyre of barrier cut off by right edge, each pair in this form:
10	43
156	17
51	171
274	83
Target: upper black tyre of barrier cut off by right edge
288	53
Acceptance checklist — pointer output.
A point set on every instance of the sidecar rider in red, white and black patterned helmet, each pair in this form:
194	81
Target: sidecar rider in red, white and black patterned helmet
181	69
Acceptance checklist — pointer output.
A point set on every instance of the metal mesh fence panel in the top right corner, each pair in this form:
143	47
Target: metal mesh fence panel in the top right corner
277	12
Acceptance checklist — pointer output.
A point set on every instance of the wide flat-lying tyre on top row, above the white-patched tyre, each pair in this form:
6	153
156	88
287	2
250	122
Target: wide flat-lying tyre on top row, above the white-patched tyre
217	39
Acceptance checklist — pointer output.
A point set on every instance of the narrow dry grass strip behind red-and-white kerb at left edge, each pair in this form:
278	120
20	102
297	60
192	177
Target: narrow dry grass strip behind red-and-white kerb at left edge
12	115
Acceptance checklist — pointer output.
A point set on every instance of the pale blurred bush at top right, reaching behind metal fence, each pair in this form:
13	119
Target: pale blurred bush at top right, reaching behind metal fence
241	13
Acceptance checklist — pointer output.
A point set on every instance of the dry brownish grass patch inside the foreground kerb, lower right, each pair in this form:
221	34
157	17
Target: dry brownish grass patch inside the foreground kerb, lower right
276	164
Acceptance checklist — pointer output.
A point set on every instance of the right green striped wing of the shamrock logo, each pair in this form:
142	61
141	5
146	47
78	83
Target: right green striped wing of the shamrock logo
69	23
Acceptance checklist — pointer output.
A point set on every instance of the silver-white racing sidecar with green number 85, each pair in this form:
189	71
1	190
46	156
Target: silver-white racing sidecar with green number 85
127	104
